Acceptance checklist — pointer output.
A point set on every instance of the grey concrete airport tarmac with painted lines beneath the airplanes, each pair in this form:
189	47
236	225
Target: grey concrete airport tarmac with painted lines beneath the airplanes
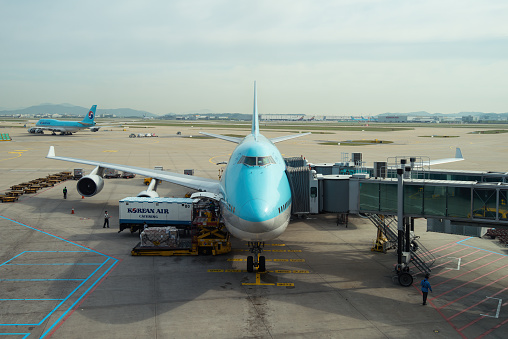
63	275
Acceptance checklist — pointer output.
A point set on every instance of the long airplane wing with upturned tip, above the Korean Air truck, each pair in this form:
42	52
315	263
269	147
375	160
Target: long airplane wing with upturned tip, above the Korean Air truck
197	183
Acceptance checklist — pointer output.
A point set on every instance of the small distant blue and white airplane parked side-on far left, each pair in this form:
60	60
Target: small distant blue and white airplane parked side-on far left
66	127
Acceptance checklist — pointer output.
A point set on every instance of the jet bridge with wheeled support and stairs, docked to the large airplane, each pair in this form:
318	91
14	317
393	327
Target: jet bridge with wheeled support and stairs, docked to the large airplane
462	202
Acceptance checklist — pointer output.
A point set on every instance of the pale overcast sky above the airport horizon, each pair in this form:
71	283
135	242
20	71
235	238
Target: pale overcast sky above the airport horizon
341	57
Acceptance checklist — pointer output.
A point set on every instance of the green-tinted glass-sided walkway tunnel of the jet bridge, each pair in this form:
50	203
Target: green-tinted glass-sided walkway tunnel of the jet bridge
469	202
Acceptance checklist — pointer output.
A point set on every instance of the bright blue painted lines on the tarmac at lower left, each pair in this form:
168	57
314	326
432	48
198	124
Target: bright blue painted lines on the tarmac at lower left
108	264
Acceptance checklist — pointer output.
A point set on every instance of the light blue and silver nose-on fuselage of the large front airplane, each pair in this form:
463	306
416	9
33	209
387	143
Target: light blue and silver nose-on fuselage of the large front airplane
256	203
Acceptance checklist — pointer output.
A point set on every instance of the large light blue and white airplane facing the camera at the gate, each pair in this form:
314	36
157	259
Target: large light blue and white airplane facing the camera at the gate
254	192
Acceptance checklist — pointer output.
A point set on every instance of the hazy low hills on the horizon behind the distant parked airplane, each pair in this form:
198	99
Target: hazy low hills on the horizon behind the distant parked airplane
68	109
